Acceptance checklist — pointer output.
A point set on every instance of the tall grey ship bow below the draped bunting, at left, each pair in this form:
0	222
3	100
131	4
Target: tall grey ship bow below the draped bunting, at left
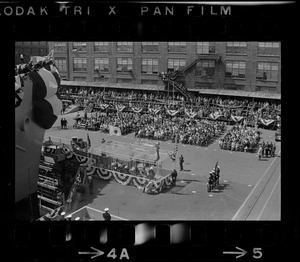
28	144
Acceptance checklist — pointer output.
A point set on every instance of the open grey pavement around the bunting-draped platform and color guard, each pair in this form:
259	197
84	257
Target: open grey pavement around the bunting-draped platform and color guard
189	200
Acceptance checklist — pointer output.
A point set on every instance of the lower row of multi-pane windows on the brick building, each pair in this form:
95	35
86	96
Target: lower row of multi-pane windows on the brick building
205	68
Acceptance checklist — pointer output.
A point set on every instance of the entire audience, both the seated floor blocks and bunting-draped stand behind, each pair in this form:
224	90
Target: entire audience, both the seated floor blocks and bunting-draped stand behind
155	121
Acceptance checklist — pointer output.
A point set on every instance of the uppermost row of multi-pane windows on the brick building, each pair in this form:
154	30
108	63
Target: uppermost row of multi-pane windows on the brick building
263	48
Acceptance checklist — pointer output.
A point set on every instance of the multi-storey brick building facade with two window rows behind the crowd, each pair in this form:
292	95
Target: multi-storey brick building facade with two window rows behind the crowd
244	66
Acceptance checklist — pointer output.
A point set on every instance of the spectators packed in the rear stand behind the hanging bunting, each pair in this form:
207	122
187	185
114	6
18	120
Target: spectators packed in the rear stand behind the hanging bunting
204	106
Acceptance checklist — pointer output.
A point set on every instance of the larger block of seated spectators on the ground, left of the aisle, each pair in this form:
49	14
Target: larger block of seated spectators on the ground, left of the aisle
151	126
